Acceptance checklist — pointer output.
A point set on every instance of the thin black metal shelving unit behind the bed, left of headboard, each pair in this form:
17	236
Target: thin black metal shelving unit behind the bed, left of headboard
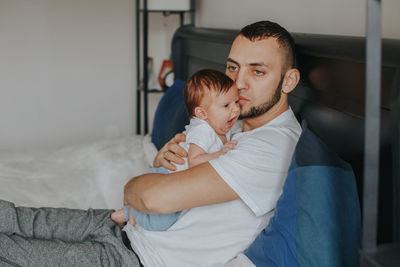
142	75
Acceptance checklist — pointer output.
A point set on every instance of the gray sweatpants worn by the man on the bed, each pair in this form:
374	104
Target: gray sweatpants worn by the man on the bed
60	237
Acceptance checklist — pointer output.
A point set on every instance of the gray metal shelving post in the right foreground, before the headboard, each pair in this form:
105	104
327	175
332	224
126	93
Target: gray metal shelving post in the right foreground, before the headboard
372	254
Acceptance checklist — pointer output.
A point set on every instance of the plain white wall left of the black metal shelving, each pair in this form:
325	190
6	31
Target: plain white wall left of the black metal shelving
66	71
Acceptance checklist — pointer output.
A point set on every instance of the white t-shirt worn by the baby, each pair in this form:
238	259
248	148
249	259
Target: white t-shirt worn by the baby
199	132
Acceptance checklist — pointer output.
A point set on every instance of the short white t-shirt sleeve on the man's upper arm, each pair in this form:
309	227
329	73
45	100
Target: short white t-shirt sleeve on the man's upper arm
256	169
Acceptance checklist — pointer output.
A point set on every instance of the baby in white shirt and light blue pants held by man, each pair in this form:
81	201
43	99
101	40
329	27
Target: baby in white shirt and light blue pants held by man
211	99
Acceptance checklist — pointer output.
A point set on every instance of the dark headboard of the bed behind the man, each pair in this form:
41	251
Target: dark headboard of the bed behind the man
330	97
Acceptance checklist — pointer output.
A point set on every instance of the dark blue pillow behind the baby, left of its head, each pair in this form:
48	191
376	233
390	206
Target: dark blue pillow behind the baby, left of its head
170	117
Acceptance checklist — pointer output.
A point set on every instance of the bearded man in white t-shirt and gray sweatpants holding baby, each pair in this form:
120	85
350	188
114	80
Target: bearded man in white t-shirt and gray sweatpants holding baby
225	202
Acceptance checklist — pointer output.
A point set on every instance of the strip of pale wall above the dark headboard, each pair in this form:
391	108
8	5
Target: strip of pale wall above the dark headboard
341	17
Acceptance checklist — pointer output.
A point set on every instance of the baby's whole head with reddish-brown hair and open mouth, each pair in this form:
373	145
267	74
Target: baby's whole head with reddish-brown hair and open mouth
212	96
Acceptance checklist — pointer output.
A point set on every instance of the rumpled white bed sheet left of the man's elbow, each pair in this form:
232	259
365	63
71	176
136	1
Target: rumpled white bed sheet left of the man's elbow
90	175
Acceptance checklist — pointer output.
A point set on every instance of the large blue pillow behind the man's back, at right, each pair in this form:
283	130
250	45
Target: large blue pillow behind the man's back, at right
317	219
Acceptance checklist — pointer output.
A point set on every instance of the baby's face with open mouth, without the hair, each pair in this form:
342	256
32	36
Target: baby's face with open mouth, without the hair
222	110
